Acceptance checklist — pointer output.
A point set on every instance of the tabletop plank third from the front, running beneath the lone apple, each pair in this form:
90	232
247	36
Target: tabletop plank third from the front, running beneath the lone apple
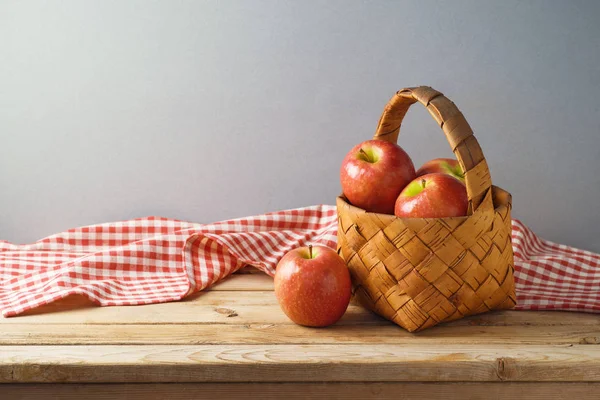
231	307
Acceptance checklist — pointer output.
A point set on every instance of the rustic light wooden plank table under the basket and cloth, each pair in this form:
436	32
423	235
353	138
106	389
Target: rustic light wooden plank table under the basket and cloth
233	341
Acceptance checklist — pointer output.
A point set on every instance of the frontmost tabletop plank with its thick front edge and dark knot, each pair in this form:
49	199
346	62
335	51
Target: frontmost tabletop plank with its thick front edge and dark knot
298	363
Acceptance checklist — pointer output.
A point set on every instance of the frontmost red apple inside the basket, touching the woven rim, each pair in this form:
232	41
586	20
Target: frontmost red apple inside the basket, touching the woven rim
442	196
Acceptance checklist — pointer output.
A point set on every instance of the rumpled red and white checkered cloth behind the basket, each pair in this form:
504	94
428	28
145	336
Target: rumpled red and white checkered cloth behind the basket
154	260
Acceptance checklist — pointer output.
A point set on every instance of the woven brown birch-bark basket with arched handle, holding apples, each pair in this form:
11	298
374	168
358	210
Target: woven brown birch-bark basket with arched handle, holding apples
418	272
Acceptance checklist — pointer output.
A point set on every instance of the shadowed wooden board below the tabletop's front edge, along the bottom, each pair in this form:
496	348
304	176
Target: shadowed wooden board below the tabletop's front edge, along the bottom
302	391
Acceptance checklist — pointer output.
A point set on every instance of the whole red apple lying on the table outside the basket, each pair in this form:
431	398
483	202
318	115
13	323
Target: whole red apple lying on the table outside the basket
313	291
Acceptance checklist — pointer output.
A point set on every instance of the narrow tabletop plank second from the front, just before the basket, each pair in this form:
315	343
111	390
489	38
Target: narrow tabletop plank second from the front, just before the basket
266	333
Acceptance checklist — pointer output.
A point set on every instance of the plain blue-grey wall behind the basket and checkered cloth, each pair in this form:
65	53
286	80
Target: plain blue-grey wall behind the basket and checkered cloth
210	110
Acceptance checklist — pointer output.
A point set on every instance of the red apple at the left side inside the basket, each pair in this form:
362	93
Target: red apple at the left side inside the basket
375	186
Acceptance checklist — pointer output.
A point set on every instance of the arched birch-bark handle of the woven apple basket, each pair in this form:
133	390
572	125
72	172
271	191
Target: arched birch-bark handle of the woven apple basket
458	133
